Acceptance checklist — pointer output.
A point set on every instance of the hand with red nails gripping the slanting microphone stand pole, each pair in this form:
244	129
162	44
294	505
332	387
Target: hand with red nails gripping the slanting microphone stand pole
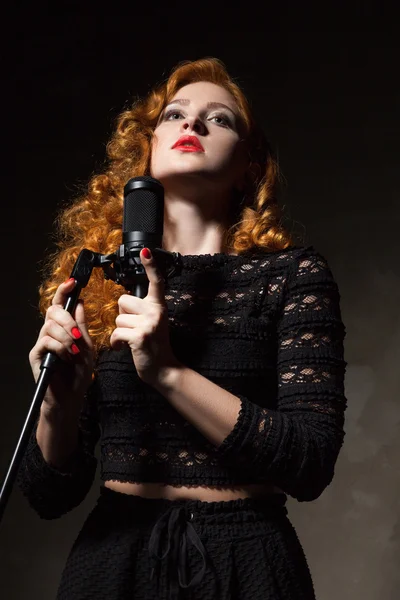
73	374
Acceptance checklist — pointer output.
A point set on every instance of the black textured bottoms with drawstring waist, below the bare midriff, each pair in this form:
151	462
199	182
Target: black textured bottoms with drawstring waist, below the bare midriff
156	549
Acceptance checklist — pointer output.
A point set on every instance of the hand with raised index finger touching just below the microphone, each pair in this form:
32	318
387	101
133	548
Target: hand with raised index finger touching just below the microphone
143	324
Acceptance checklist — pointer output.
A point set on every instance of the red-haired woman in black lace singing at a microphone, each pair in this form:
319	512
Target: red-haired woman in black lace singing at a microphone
216	395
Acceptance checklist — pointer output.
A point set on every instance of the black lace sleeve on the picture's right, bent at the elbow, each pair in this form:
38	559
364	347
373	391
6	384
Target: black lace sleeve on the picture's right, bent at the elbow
297	445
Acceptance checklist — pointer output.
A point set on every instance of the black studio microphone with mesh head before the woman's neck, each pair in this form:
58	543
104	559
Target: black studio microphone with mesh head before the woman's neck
142	227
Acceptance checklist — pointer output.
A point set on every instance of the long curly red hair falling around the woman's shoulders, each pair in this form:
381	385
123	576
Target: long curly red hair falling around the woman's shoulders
94	220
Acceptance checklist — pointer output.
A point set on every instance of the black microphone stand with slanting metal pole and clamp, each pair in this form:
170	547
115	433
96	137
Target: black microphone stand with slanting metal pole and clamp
125	268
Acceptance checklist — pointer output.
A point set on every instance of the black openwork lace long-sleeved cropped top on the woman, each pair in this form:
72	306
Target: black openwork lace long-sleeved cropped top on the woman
265	327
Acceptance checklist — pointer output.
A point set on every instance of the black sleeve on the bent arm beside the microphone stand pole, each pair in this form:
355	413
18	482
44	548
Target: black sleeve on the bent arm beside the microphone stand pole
52	492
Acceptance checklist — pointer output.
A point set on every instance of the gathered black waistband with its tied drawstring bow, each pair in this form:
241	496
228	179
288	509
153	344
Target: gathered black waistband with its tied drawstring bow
179	522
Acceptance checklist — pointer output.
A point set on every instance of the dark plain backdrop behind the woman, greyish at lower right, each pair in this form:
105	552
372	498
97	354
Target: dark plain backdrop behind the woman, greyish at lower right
324	84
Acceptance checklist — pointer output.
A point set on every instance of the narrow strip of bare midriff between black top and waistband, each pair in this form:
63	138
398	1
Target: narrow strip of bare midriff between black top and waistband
204	494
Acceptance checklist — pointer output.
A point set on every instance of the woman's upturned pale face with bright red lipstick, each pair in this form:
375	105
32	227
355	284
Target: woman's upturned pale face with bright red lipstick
208	114
